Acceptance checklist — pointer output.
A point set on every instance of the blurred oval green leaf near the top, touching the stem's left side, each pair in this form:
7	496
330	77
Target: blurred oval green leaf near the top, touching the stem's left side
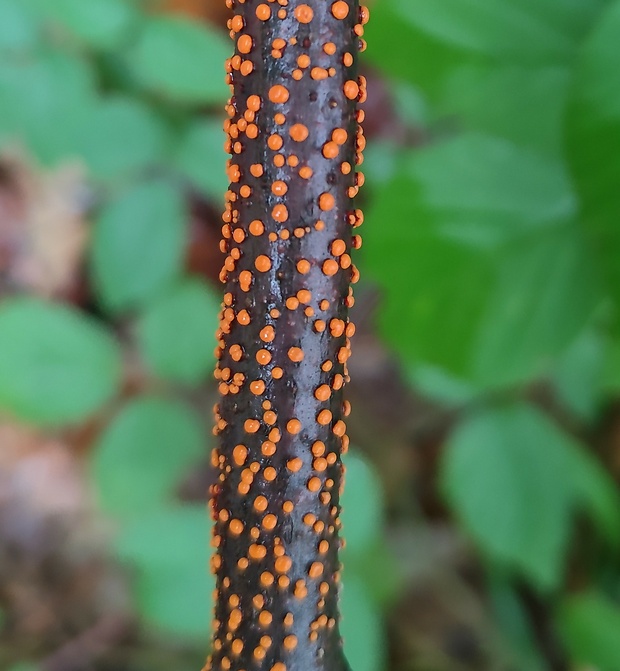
181	60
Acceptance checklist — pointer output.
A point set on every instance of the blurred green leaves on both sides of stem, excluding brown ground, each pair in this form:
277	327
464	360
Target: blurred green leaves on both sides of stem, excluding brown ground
496	244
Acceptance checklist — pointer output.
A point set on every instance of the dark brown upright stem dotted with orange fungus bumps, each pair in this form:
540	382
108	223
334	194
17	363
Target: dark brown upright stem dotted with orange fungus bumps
284	337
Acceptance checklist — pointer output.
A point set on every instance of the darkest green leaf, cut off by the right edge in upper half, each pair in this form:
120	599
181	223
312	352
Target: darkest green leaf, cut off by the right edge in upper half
594	140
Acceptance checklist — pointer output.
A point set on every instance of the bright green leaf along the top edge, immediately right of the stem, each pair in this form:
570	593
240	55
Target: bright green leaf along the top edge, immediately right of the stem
424	41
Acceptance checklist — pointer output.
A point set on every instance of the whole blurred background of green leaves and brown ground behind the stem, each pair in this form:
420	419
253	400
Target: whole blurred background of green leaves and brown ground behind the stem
482	510
